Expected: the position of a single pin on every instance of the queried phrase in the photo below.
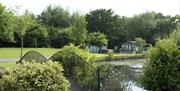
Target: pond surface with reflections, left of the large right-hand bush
(122, 77)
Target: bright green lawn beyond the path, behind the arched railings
(11, 53)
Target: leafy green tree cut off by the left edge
(6, 24)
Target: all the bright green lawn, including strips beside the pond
(14, 53)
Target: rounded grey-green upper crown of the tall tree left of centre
(55, 16)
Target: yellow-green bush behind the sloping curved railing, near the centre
(76, 63)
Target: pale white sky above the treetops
(120, 7)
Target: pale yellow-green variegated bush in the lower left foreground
(45, 76)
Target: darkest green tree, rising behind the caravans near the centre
(105, 21)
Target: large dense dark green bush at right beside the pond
(162, 70)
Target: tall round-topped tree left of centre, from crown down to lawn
(57, 20)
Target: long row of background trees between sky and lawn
(62, 28)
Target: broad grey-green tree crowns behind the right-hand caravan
(149, 26)
